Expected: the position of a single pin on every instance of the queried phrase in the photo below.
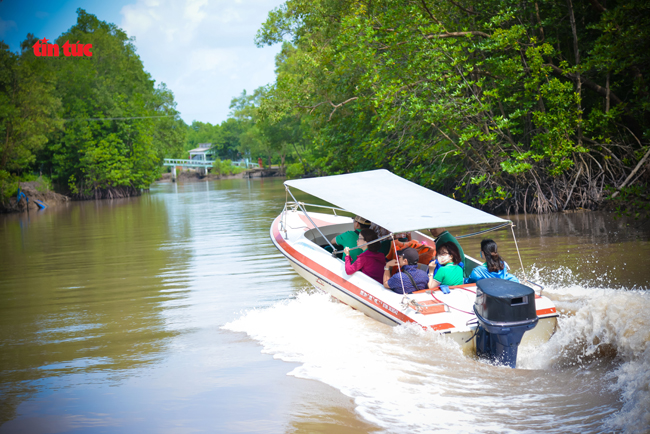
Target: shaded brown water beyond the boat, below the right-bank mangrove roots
(592, 248)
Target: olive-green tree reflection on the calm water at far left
(81, 294)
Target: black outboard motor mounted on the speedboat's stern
(505, 311)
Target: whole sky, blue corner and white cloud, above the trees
(203, 50)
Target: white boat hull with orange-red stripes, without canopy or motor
(451, 314)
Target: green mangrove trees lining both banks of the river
(510, 106)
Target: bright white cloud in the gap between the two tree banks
(204, 51)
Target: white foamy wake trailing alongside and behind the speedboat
(406, 380)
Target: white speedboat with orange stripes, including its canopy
(302, 233)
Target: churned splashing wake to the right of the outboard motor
(609, 325)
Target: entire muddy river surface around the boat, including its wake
(174, 313)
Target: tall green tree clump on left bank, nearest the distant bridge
(90, 155)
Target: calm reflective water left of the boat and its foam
(111, 311)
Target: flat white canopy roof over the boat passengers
(392, 202)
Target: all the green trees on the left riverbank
(97, 126)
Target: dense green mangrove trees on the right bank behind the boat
(512, 106)
